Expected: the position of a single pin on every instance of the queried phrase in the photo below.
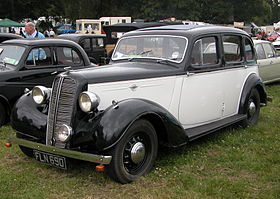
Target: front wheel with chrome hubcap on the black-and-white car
(135, 154)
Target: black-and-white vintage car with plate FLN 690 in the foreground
(160, 88)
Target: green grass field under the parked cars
(232, 163)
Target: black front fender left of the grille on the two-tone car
(26, 117)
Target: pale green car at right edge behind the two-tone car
(268, 60)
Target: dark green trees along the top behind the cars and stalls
(213, 11)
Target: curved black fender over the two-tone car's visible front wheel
(106, 129)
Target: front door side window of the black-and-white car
(204, 52)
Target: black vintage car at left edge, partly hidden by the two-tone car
(25, 63)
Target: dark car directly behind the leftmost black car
(93, 44)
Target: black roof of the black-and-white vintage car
(187, 30)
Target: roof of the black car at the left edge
(40, 42)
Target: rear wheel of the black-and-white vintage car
(252, 108)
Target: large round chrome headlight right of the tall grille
(88, 101)
